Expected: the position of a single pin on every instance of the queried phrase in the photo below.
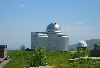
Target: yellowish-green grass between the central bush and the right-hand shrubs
(57, 58)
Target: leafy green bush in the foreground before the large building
(38, 58)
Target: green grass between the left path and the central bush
(18, 58)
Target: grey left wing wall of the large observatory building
(38, 40)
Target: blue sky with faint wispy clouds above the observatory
(79, 19)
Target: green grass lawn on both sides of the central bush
(19, 58)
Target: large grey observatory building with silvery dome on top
(52, 40)
